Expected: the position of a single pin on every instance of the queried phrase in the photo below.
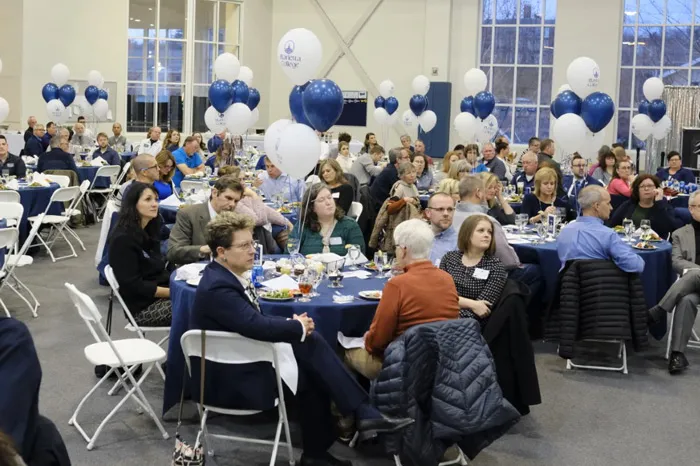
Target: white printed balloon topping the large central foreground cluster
(299, 53)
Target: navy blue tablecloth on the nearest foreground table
(353, 319)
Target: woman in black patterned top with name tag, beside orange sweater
(478, 274)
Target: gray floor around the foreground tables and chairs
(591, 418)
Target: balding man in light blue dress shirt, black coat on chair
(589, 238)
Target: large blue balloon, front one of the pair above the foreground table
(323, 103)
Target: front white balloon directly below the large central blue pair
(298, 151)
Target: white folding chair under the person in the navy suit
(232, 348)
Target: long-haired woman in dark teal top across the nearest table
(326, 229)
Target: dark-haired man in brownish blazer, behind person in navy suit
(187, 242)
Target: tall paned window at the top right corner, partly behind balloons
(659, 38)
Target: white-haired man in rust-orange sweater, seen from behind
(408, 299)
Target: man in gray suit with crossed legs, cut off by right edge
(684, 295)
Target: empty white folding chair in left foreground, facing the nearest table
(117, 354)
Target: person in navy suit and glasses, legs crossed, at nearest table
(226, 301)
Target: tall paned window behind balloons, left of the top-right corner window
(516, 53)
